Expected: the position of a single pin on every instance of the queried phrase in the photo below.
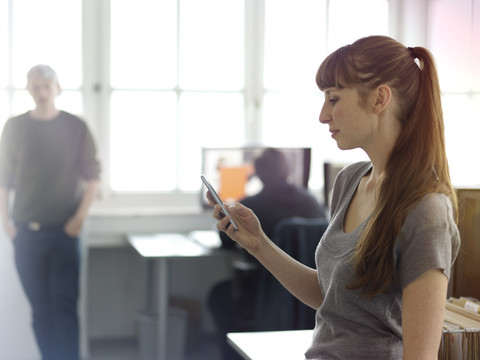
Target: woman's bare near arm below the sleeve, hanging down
(423, 308)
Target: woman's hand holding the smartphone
(250, 235)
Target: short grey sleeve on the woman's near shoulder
(429, 239)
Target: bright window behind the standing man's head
(36, 33)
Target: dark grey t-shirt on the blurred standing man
(45, 163)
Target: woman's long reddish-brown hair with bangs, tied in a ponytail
(417, 165)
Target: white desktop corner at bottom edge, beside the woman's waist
(279, 345)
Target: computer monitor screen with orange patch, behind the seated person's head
(231, 170)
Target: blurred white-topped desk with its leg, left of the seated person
(161, 248)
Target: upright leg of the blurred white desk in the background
(163, 287)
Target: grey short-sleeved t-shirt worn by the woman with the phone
(350, 327)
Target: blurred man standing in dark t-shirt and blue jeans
(48, 160)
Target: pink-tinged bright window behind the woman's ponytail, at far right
(454, 39)
